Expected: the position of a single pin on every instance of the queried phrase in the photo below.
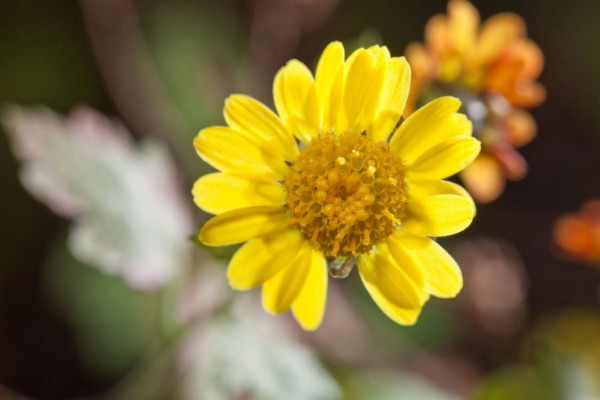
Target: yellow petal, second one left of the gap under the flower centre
(280, 291)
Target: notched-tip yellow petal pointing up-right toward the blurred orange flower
(433, 123)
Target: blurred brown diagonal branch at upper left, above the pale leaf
(128, 72)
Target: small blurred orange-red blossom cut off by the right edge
(577, 235)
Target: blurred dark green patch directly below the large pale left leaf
(113, 323)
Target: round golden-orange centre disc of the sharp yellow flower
(345, 193)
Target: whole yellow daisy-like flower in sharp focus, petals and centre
(344, 192)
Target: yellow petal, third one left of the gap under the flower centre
(261, 258)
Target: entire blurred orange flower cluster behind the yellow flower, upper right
(493, 68)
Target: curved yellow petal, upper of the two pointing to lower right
(442, 275)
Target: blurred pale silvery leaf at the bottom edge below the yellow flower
(230, 358)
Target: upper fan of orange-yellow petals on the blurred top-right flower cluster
(495, 56)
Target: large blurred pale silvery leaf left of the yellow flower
(129, 216)
